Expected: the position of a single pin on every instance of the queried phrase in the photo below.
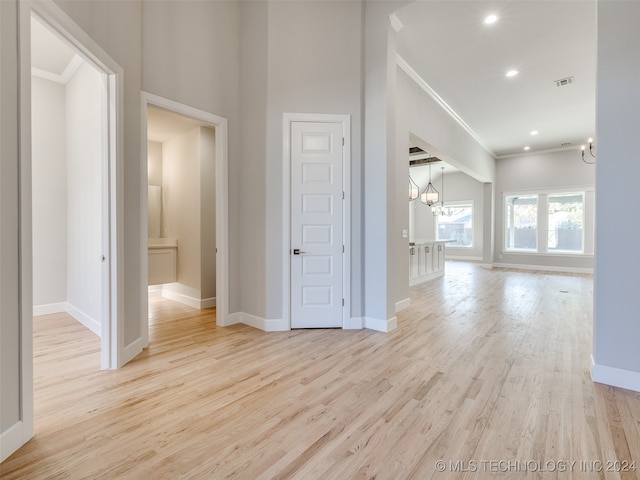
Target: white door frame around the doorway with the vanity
(220, 125)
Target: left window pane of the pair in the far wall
(521, 223)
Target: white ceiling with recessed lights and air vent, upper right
(464, 61)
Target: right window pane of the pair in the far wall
(566, 219)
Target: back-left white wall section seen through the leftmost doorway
(49, 189)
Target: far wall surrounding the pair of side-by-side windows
(559, 171)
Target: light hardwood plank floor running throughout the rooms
(488, 372)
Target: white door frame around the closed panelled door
(345, 120)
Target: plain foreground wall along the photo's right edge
(616, 327)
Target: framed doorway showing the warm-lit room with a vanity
(184, 187)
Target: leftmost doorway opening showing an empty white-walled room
(73, 186)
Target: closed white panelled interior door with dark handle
(317, 249)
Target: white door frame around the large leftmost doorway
(112, 327)
